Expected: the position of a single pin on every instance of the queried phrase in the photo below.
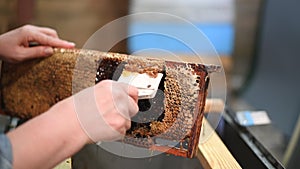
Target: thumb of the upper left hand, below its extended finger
(38, 51)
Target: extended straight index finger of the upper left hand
(50, 41)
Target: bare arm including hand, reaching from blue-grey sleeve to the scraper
(55, 135)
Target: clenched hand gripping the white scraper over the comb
(104, 110)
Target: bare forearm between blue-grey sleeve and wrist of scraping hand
(47, 139)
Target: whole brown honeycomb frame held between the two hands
(169, 122)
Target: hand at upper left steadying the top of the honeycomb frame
(14, 45)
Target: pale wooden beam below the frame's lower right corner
(212, 153)
